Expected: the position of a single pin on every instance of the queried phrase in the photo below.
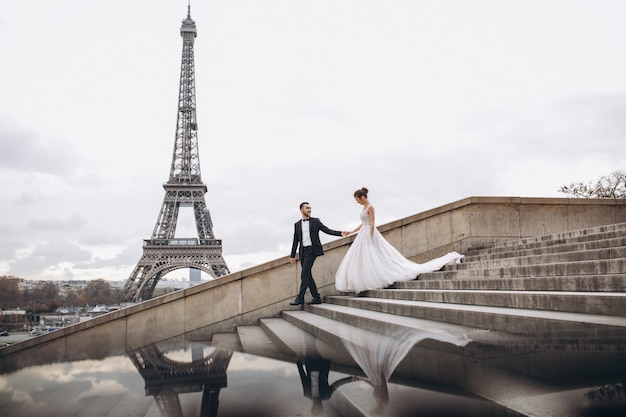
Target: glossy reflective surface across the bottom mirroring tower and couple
(581, 370)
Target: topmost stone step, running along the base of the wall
(583, 235)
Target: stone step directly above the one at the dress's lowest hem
(600, 283)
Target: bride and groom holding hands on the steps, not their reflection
(370, 263)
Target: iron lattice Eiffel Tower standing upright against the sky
(163, 253)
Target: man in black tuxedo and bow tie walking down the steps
(306, 238)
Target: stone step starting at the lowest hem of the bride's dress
(605, 303)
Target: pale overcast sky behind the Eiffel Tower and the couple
(423, 102)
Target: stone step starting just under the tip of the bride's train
(614, 252)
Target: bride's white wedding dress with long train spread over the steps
(372, 262)
